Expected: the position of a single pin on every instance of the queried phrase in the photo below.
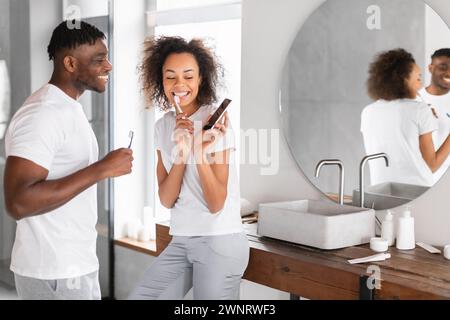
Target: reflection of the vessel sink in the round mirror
(388, 195)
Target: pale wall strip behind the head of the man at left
(45, 16)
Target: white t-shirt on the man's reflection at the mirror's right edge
(441, 105)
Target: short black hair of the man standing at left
(65, 37)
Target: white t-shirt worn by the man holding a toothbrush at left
(51, 130)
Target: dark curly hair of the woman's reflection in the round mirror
(388, 75)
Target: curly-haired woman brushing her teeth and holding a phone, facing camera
(196, 175)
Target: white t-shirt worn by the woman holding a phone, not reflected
(190, 215)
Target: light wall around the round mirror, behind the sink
(268, 29)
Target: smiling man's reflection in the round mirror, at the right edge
(438, 97)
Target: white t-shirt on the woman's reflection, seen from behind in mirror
(394, 127)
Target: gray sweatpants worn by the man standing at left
(82, 288)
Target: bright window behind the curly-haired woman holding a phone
(219, 24)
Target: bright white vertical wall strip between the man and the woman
(130, 112)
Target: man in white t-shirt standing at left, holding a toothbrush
(52, 170)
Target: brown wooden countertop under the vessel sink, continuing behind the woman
(319, 274)
